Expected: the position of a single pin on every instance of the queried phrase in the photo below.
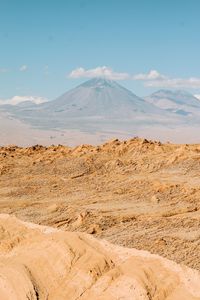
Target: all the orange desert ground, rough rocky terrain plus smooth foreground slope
(137, 194)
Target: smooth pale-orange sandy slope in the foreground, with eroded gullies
(40, 262)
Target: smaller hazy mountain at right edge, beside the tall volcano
(176, 101)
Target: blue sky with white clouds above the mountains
(49, 46)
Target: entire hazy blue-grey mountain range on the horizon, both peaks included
(101, 106)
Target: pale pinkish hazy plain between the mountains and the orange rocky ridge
(13, 131)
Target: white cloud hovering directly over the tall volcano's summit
(104, 71)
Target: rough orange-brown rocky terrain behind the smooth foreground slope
(135, 193)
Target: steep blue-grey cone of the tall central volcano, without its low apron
(99, 98)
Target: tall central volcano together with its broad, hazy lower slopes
(94, 105)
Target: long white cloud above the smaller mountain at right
(156, 79)
